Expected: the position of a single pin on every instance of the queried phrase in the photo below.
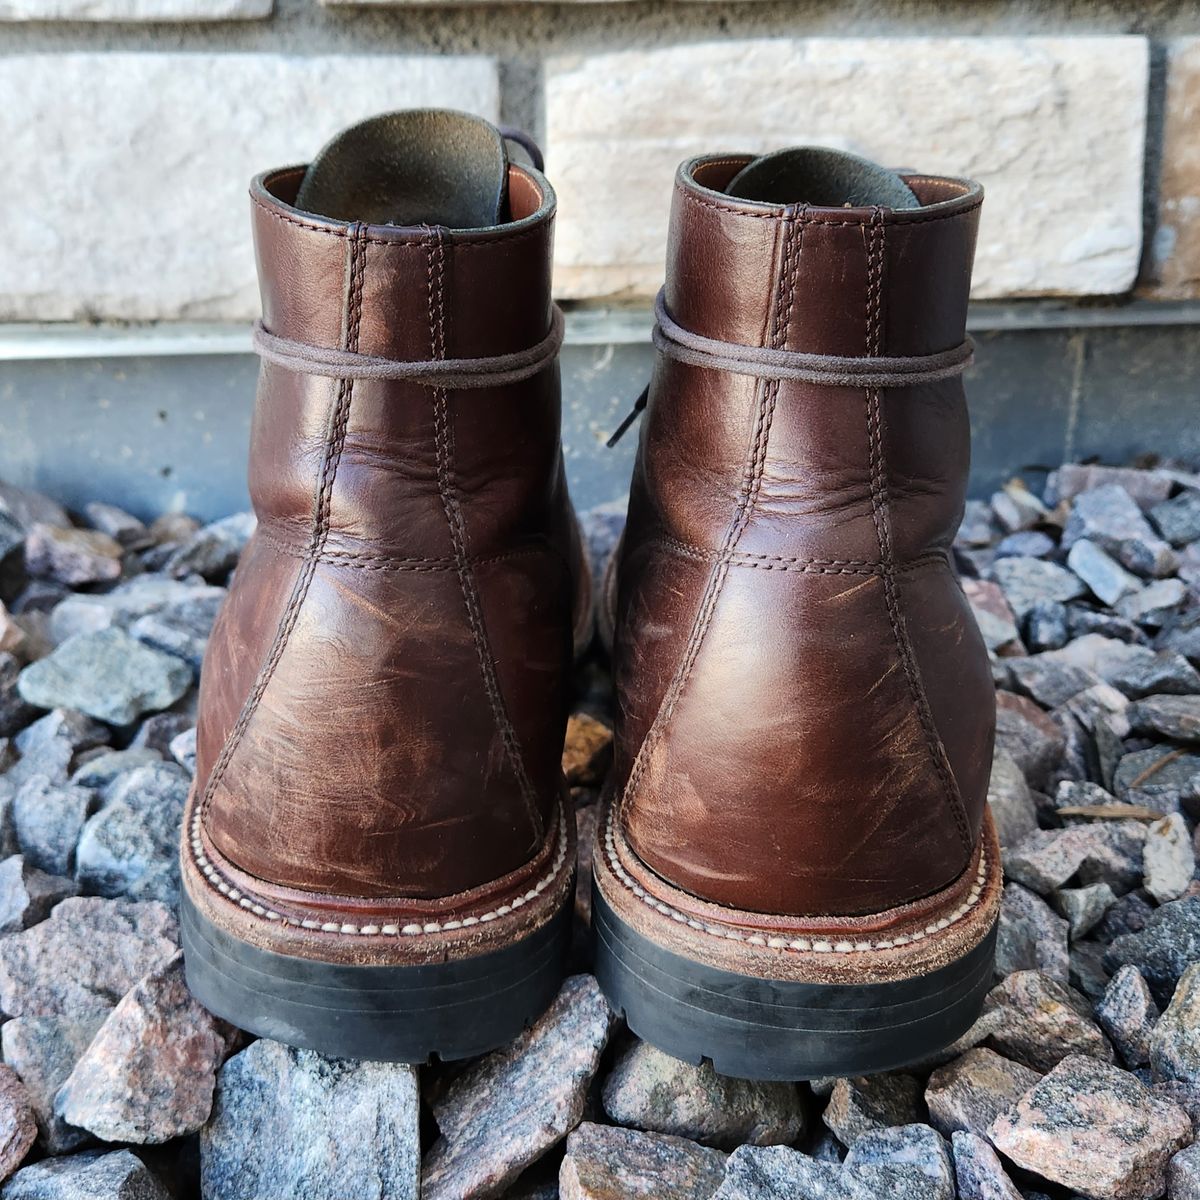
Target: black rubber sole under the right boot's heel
(771, 1029)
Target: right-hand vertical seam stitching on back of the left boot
(451, 506)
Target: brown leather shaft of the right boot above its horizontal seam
(845, 281)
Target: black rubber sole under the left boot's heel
(453, 1010)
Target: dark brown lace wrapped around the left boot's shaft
(457, 374)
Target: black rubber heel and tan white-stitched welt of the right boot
(765, 1003)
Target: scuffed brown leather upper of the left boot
(385, 695)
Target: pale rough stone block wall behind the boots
(130, 128)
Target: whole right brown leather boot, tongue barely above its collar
(797, 877)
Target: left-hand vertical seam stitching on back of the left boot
(335, 440)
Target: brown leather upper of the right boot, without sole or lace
(806, 707)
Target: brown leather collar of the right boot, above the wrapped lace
(737, 269)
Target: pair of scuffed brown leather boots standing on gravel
(795, 875)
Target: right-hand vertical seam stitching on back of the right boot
(881, 517)
